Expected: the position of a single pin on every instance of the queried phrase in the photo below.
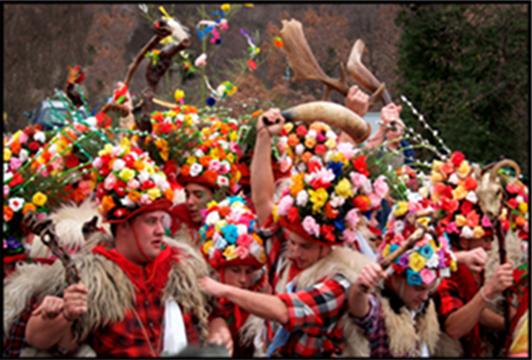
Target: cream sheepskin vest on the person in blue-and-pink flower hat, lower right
(404, 334)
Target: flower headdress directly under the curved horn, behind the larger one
(298, 144)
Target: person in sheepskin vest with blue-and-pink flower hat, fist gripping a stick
(398, 318)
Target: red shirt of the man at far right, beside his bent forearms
(453, 293)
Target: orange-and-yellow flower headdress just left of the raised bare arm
(213, 161)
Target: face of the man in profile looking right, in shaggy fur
(149, 228)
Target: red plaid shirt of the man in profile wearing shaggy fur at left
(127, 338)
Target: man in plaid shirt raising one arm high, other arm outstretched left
(312, 275)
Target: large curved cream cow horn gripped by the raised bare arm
(332, 114)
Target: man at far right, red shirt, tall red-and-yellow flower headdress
(463, 299)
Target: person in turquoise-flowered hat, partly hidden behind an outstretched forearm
(236, 253)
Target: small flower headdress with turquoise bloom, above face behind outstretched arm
(229, 236)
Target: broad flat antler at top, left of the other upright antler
(302, 60)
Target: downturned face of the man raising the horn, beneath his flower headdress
(302, 252)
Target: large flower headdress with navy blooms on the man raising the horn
(326, 203)
